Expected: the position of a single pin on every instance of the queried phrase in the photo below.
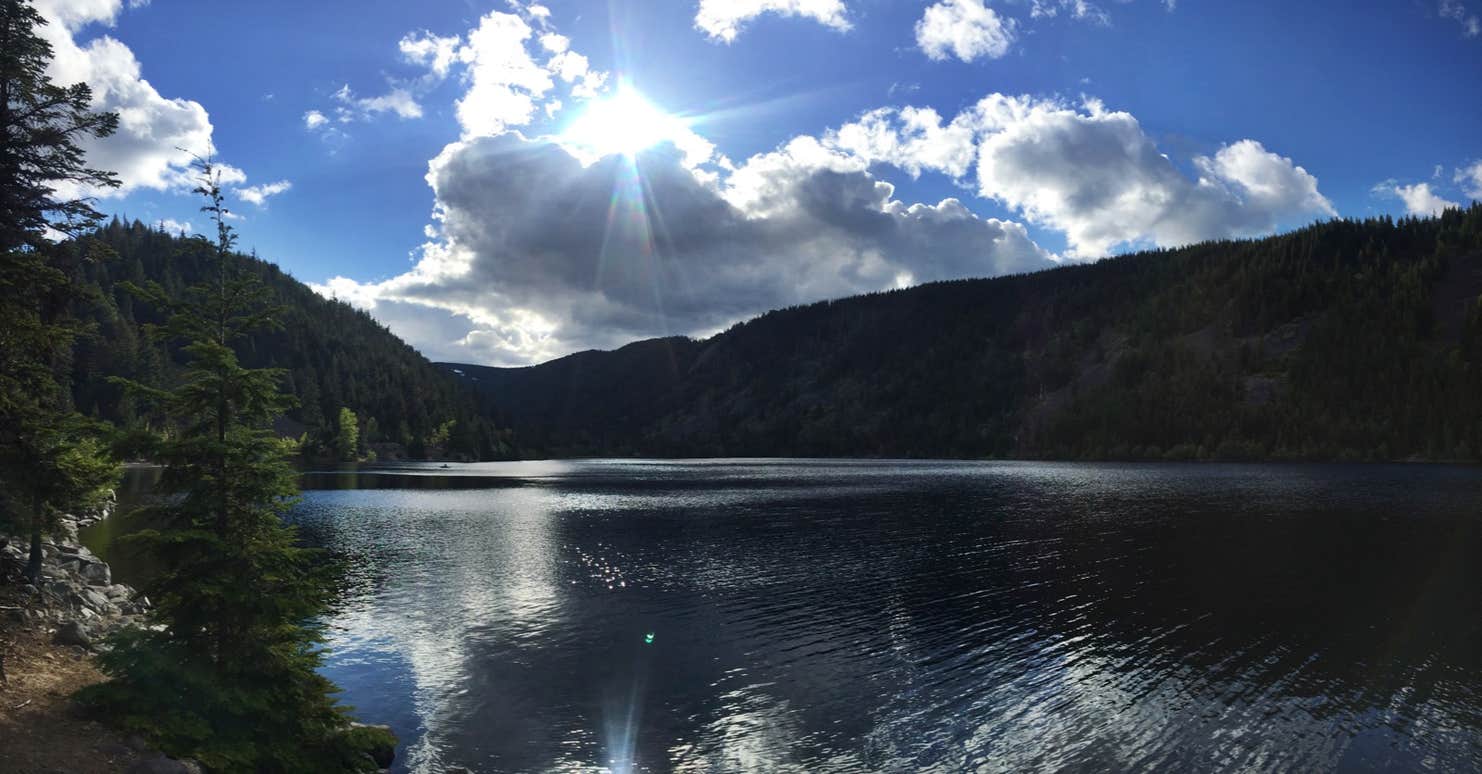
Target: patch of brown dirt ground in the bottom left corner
(38, 732)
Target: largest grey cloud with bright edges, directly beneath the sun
(542, 256)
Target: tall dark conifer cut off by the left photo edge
(50, 457)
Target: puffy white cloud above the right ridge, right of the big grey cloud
(1090, 173)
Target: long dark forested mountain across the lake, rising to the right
(1348, 340)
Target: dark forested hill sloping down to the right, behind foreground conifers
(336, 357)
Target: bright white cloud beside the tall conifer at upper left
(152, 128)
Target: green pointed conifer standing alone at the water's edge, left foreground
(229, 672)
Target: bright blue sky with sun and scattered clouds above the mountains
(508, 182)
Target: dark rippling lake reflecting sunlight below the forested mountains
(881, 616)
